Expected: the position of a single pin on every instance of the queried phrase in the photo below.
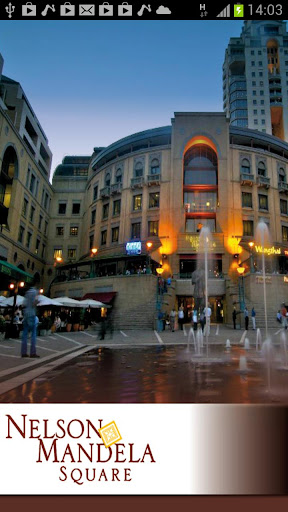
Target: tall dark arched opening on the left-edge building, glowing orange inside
(9, 170)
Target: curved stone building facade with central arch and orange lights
(161, 186)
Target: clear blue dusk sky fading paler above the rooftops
(91, 83)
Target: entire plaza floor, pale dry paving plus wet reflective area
(140, 366)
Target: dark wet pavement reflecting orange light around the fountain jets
(158, 374)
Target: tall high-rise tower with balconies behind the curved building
(255, 78)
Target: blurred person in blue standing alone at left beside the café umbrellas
(29, 322)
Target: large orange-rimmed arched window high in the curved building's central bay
(200, 166)
